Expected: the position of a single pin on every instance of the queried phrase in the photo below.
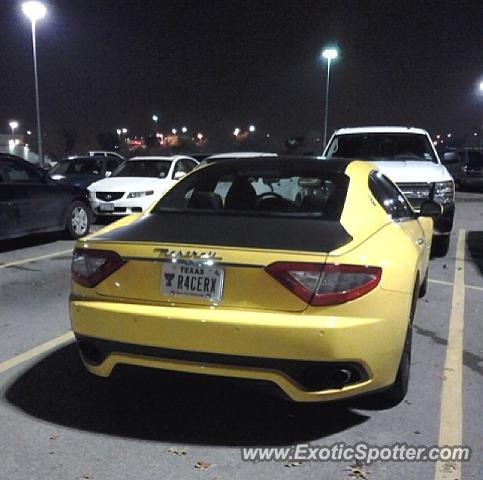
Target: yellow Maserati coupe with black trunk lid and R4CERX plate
(318, 298)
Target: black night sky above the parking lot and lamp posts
(214, 64)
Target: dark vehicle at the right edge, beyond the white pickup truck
(466, 166)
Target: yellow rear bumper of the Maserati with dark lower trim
(299, 353)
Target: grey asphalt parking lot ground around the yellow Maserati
(59, 422)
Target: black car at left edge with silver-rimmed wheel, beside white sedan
(31, 202)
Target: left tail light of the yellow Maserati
(90, 267)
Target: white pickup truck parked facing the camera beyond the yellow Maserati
(407, 156)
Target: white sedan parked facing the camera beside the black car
(137, 183)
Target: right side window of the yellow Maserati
(390, 198)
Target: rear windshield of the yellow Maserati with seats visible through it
(273, 191)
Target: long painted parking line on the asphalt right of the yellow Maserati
(451, 413)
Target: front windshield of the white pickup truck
(382, 146)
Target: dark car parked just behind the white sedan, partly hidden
(82, 171)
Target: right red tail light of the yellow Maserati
(325, 284)
